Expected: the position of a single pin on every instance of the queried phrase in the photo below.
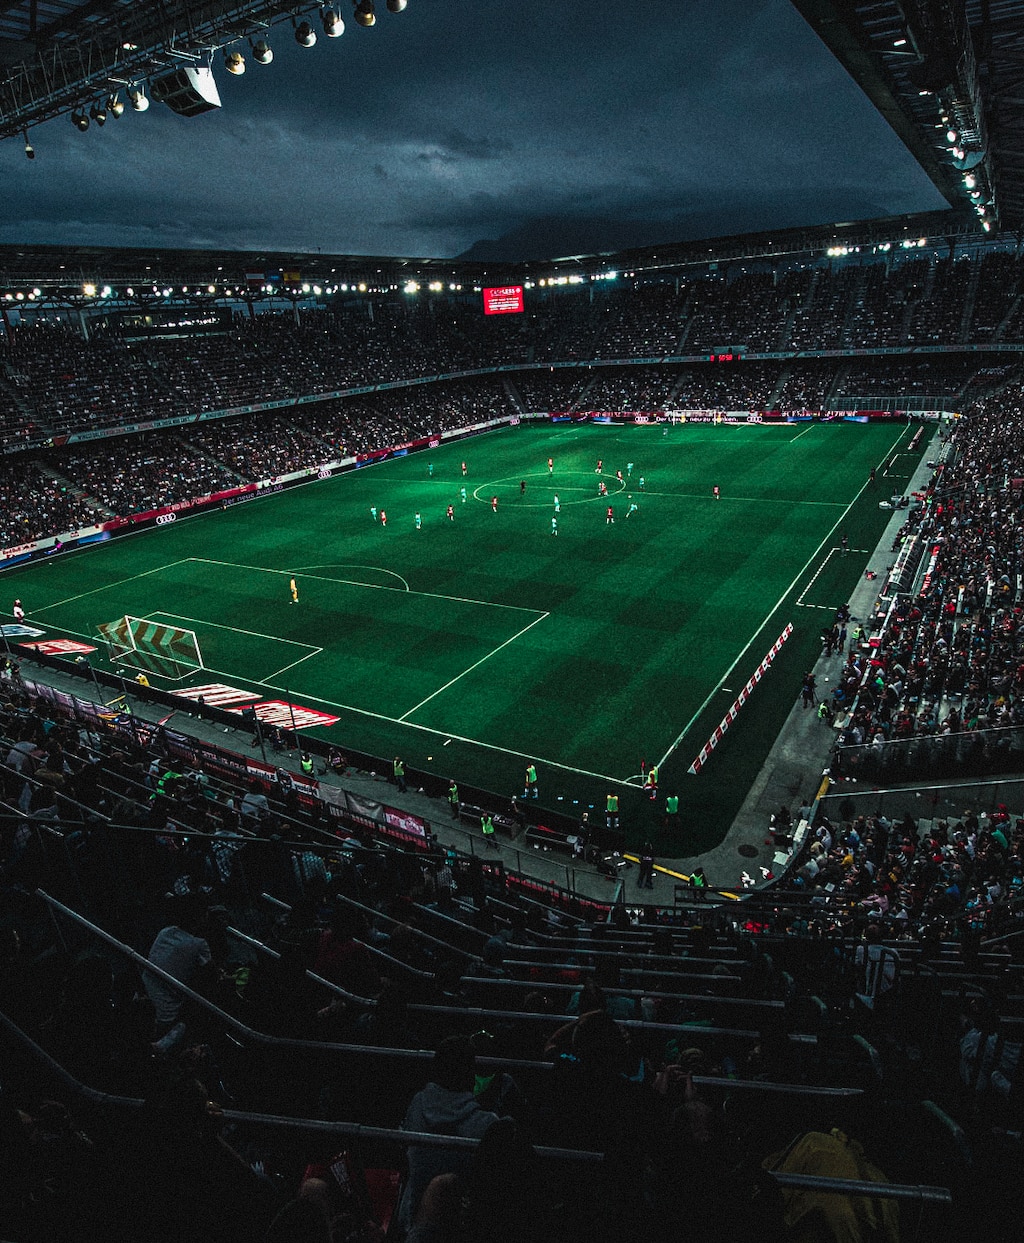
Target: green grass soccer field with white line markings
(477, 646)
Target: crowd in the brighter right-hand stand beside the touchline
(949, 658)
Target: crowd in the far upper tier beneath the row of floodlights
(53, 380)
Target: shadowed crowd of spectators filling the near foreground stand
(647, 1073)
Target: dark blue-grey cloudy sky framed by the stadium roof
(556, 126)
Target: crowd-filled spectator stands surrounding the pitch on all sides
(221, 1002)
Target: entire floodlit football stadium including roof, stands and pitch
(516, 749)
